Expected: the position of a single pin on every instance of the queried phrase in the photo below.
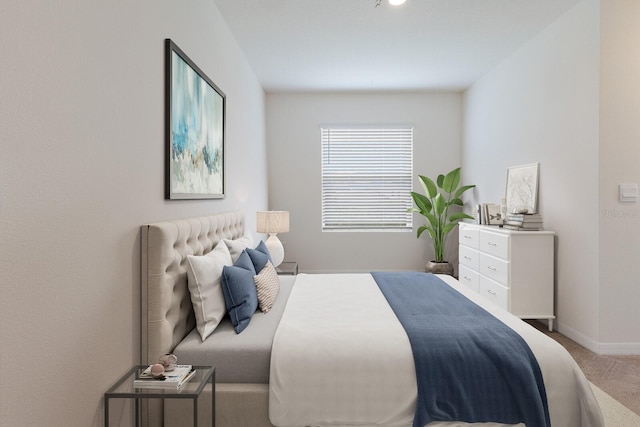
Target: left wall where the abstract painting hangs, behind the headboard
(81, 132)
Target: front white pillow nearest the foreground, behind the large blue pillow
(204, 275)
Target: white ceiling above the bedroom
(354, 45)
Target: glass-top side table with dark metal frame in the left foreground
(124, 389)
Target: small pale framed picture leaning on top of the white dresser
(522, 188)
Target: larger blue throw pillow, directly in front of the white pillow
(239, 291)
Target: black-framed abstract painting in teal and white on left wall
(194, 130)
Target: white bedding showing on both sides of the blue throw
(340, 357)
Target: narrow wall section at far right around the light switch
(619, 162)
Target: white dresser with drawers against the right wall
(514, 269)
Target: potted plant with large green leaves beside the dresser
(434, 206)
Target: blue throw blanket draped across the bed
(469, 365)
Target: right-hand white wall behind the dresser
(541, 105)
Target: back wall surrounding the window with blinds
(293, 141)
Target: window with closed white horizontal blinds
(367, 178)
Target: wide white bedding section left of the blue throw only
(313, 375)
